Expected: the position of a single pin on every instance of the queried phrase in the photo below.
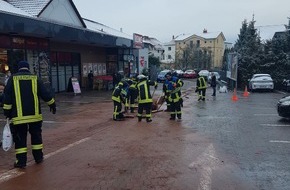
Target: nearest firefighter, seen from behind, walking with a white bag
(21, 104)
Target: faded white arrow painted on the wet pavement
(207, 161)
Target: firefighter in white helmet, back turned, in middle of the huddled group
(144, 97)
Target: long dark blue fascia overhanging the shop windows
(26, 26)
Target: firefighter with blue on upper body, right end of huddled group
(172, 87)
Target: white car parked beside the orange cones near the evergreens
(261, 82)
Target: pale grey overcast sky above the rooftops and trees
(164, 18)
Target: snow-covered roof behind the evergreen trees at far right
(268, 32)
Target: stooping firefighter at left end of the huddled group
(119, 96)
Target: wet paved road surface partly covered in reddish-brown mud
(219, 144)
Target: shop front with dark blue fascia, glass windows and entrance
(57, 51)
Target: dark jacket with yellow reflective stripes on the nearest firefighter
(21, 97)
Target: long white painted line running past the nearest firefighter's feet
(17, 172)
